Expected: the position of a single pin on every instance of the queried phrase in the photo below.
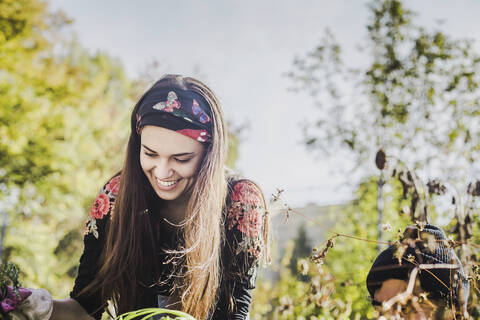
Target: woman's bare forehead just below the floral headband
(165, 141)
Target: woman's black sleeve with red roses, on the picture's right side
(245, 223)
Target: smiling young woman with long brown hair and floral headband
(173, 228)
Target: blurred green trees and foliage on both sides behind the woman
(64, 121)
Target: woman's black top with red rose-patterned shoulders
(244, 223)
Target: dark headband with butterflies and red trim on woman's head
(183, 111)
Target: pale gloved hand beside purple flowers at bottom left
(38, 306)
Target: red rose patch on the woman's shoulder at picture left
(103, 205)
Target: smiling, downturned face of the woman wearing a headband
(170, 160)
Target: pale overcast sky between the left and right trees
(242, 49)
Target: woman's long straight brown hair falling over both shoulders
(130, 247)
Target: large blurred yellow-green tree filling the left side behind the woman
(64, 121)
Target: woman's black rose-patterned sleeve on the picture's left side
(94, 239)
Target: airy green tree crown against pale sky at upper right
(416, 94)
